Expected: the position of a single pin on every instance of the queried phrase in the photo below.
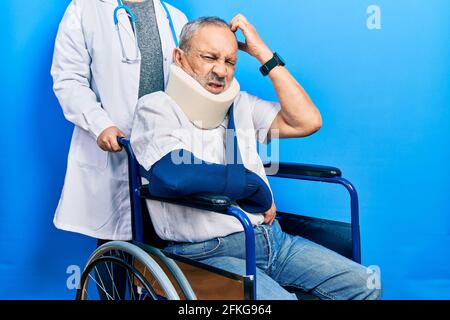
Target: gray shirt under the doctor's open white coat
(152, 73)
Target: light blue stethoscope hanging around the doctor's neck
(132, 17)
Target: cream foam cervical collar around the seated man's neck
(203, 108)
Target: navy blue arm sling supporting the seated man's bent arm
(194, 176)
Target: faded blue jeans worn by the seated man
(284, 260)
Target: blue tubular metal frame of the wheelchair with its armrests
(221, 204)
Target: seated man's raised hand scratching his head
(253, 45)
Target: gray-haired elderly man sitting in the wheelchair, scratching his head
(208, 53)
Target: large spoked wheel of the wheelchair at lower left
(122, 271)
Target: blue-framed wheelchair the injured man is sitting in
(140, 269)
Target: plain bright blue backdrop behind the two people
(384, 97)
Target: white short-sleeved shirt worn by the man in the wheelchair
(160, 126)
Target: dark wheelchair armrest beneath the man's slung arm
(204, 201)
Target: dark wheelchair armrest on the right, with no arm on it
(306, 170)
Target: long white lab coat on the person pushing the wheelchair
(97, 90)
